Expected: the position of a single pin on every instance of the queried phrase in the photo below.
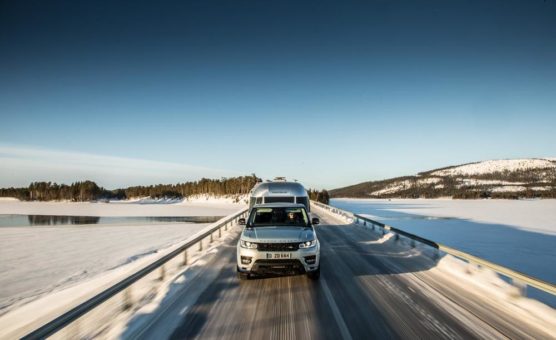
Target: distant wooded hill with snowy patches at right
(507, 178)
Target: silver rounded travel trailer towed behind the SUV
(279, 191)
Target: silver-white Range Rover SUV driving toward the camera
(278, 238)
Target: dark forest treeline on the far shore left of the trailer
(90, 191)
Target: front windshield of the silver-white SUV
(263, 217)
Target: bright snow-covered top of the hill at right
(487, 167)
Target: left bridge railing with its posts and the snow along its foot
(122, 296)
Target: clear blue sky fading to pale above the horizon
(329, 93)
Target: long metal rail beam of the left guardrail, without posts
(67, 318)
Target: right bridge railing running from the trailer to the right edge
(519, 279)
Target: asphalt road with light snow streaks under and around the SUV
(367, 289)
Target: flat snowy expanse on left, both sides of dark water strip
(35, 261)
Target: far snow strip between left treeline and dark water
(200, 206)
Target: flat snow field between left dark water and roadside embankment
(37, 261)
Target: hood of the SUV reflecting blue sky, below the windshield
(278, 234)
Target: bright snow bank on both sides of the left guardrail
(113, 314)
